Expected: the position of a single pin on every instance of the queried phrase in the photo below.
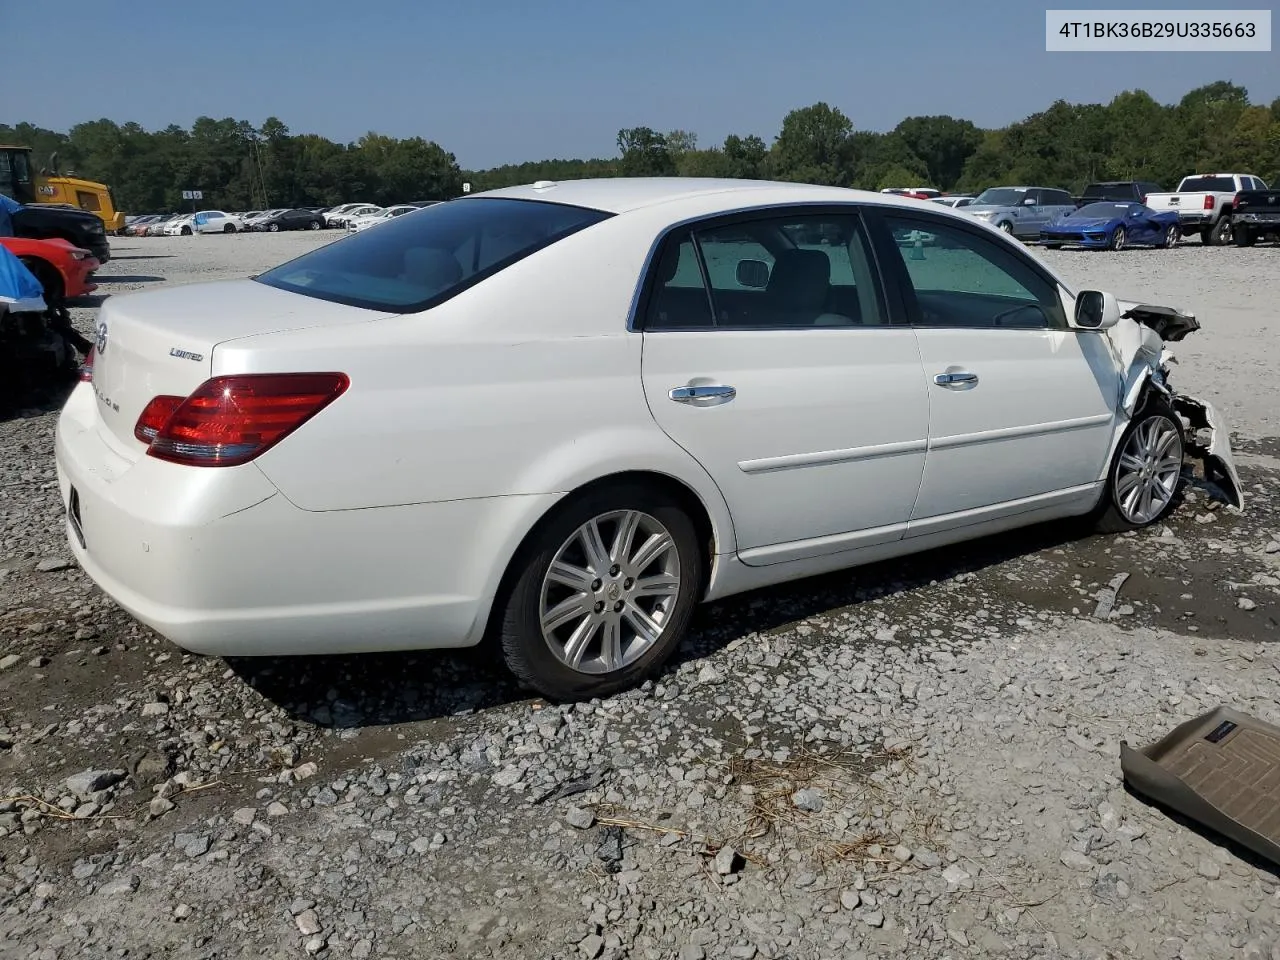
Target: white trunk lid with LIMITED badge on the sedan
(162, 342)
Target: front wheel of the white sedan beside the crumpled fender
(1145, 473)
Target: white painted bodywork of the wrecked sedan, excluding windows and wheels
(465, 424)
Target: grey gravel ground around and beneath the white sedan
(913, 760)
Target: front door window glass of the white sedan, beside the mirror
(964, 280)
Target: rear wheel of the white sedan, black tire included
(604, 593)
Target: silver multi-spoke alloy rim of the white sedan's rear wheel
(610, 592)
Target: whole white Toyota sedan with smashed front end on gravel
(559, 417)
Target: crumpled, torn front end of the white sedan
(1142, 339)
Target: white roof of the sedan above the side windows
(619, 195)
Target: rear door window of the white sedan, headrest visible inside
(778, 272)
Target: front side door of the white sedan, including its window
(1022, 406)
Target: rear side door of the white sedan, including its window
(770, 356)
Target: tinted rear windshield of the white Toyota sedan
(422, 259)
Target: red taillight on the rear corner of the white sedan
(231, 420)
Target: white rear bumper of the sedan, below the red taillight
(221, 563)
